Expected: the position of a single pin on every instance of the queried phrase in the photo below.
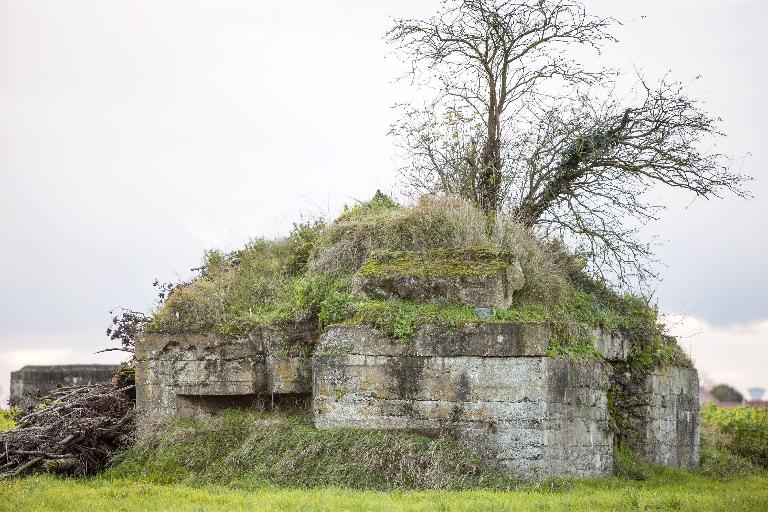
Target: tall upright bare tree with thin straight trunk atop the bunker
(488, 56)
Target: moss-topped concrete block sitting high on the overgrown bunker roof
(492, 285)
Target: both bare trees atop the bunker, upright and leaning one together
(515, 125)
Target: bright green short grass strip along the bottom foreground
(666, 490)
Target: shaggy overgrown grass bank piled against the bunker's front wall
(249, 449)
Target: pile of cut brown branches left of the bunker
(73, 431)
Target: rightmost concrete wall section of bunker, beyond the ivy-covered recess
(667, 427)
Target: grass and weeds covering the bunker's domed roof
(306, 278)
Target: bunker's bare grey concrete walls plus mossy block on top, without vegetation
(496, 386)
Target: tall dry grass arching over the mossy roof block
(435, 222)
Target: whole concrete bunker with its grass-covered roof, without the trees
(427, 318)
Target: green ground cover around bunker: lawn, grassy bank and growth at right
(240, 461)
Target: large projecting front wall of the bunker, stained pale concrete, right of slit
(534, 416)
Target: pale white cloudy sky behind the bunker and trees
(135, 134)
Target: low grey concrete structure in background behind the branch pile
(42, 379)
